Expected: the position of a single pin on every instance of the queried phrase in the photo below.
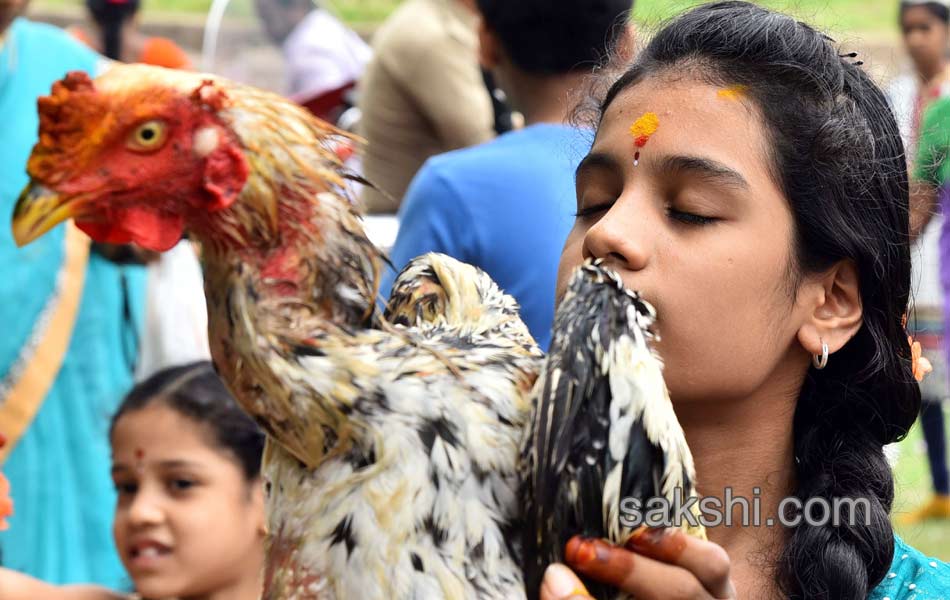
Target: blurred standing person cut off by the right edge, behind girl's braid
(925, 32)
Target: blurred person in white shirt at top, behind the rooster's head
(324, 58)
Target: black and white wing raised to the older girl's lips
(603, 428)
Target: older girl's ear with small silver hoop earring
(836, 310)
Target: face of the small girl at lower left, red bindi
(187, 522)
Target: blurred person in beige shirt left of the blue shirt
(423, 94)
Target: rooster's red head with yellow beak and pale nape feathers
(143, 153)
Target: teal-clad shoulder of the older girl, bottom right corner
(913, 576)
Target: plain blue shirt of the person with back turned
(505, 206)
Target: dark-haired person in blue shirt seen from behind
(507, 206)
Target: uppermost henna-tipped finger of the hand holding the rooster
(707, 561)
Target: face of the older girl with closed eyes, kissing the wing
(700, 228)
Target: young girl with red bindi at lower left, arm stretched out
(189, 522)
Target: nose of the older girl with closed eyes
(621, 238)
